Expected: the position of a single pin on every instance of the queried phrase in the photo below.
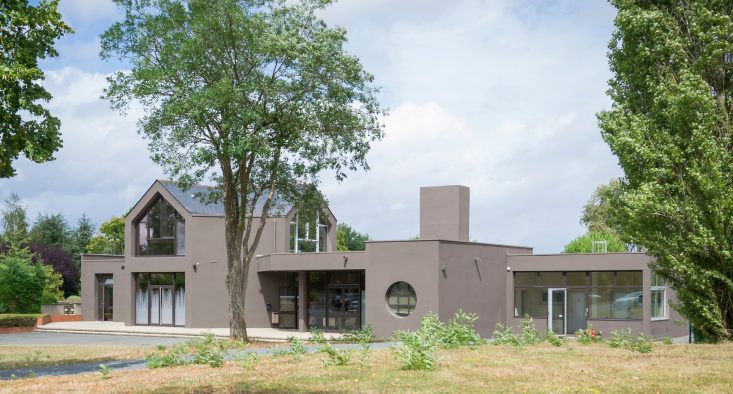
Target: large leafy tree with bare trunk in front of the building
(258, 96)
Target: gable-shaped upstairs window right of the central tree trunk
(308, 232)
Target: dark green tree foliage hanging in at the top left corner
(27, 33)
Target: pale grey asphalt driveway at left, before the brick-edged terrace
(56, 338)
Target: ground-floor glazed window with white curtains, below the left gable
(160, 298)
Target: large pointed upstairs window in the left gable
(160, 231)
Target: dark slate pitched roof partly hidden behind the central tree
(192, 203)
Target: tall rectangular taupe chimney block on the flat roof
(444, 212)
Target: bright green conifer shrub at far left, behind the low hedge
(21, 282)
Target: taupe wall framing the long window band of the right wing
(598, 262)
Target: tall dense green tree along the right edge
(670, 126)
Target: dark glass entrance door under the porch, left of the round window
(344, 308)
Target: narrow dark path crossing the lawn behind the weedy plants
(141, 364)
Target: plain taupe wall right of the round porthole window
(474, 280)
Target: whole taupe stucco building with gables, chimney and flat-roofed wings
(174, 268)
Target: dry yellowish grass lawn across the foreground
(541, 368)
